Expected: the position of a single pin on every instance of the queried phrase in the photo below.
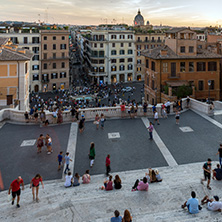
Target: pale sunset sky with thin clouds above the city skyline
(94, 12)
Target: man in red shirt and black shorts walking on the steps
(15, 188)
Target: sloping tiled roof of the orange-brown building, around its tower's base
(156, 54)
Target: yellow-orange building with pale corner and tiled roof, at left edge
(14, 75)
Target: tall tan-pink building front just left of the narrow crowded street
(54, 59)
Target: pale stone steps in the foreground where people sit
(88, 203)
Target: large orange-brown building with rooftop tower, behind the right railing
(180, 62)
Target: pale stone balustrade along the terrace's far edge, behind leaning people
(109, 112)
